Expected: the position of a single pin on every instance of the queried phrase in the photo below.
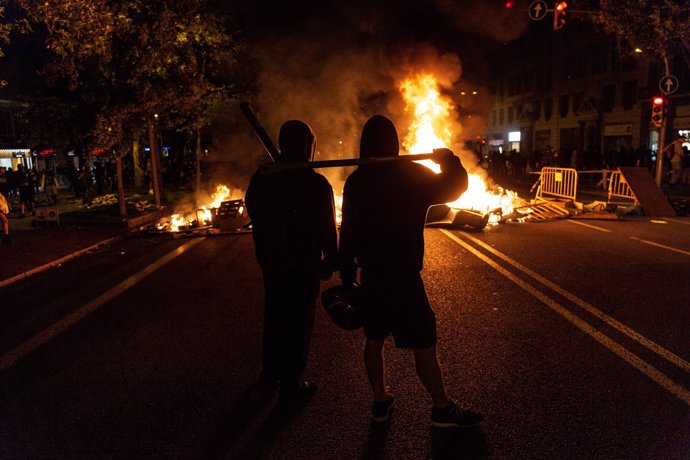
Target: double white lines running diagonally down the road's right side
(647, 369)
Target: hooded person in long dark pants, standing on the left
(295, 238)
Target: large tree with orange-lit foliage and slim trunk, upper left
(142, 57)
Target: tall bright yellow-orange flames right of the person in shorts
(431, 129)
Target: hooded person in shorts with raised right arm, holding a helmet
(382, 233)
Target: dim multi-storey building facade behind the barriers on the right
(569, 97)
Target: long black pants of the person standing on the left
(288, 323)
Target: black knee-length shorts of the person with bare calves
(396, 304)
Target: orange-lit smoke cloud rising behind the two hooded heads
(336, 64)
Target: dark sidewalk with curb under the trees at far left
(34, 245)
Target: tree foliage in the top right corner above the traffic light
(661, 27)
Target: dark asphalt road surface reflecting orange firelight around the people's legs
(570, 336)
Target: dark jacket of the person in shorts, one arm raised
(384, 213)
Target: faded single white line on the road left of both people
(10, 358)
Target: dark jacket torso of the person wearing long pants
(293, 219)
